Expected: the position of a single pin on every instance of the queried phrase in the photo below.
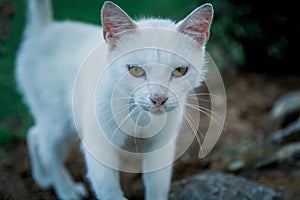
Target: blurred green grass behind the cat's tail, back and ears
(14, 116)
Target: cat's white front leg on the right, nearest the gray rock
(157, 183)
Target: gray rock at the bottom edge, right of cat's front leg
(219, 186)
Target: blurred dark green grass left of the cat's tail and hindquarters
(14, 117)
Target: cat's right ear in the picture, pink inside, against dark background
(197, 24)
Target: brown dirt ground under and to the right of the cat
(250, 98)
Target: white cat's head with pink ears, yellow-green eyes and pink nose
(150, 55)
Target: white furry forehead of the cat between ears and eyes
(157, 45)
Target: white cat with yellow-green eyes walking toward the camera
(47, 64)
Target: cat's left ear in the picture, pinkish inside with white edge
(114, 21)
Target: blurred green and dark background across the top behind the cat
(250, 36)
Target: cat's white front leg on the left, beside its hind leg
(105, 181)
